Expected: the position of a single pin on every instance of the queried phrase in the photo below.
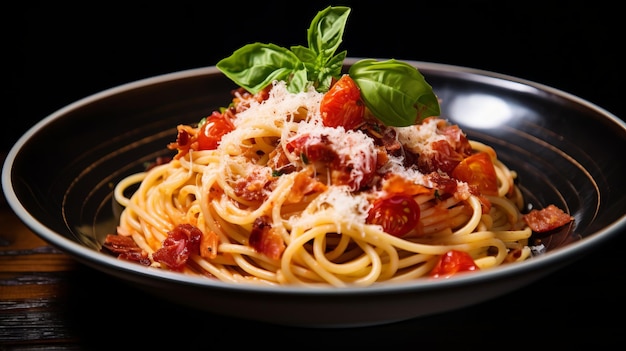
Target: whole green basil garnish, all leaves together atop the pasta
(394, 91)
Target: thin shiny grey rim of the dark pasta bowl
(554, 259)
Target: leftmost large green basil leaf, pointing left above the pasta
(255, 66)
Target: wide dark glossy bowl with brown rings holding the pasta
(59, 177)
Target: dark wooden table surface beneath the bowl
(49, 301)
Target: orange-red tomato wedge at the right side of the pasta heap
(477, 170)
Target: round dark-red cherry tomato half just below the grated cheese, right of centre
(398, 214)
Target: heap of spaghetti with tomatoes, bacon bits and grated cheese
(283, 199)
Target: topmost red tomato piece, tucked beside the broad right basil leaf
(342, 105)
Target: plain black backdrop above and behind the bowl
(61, 52)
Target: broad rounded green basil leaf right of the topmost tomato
(394, 91)
